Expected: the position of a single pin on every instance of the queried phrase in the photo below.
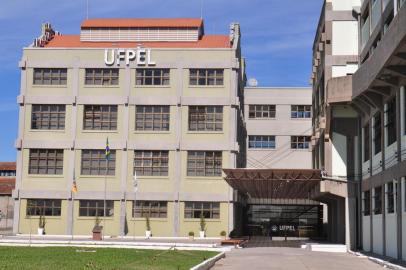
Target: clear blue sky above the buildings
(277, 36)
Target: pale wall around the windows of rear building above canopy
(282, 127)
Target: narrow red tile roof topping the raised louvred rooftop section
(112, 23)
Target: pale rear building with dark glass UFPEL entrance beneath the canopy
(279, 128)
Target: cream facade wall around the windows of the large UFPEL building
(176, 188)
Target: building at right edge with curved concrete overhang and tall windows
(379, 96)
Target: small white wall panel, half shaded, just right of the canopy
(339, 154)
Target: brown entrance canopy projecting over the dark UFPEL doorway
(273, 183)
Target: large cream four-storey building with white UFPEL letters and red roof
(168, 99)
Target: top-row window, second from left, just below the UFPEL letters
(101, 76)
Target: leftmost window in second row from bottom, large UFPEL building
(46, 161)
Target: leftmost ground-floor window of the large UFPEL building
(38, 207)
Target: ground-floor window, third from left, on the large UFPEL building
(152, 209)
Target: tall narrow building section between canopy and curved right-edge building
(335, 122)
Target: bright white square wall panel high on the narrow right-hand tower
(345, 38)
